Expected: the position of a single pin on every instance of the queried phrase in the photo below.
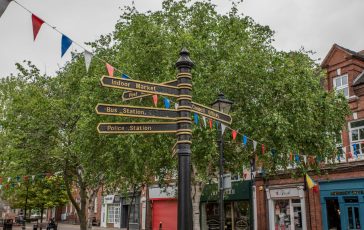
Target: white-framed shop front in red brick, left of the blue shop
(286, 205)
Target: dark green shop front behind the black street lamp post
(237, 202)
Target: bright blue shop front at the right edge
(342, 204)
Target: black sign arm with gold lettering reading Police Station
(140, 127)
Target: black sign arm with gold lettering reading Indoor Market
(139, 86)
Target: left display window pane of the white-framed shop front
(282, 214)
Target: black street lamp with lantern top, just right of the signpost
(223, 105)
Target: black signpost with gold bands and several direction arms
(181, 123)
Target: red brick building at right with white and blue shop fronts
(283, 203)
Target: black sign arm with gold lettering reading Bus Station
(135, 111)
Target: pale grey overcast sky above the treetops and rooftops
(312, 24)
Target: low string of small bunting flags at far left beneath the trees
(12, 182)
